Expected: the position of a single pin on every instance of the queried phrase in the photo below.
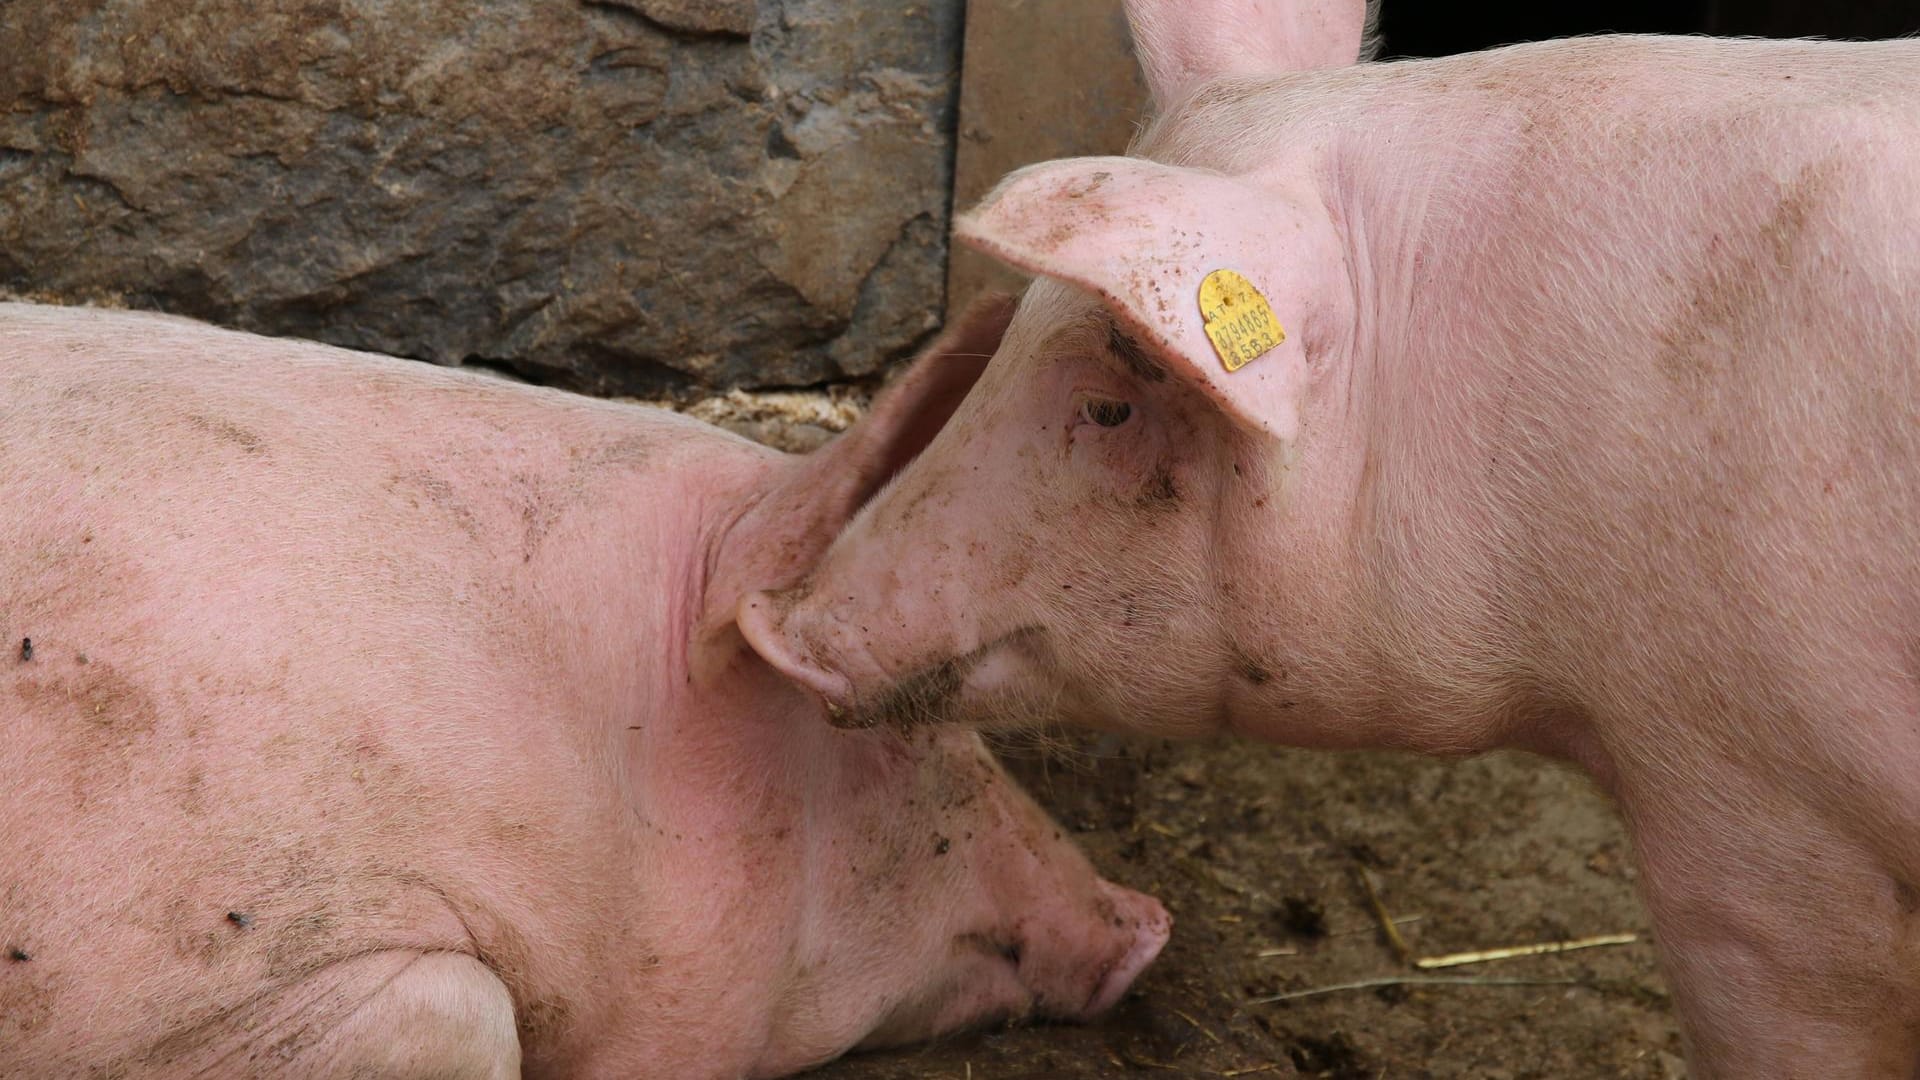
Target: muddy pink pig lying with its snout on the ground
(391, 722)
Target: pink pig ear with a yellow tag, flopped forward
(1232, 283)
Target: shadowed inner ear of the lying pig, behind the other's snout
(842, 476)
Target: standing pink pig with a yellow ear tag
(1562, 397)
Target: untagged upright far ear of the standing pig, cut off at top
(1184, 43)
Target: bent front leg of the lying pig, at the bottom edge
(398, 1016)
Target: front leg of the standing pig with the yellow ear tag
(1788, 946)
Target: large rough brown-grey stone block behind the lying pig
(627, 197)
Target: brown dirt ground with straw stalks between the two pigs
(1259, 856)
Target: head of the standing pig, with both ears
(1086, 535)
